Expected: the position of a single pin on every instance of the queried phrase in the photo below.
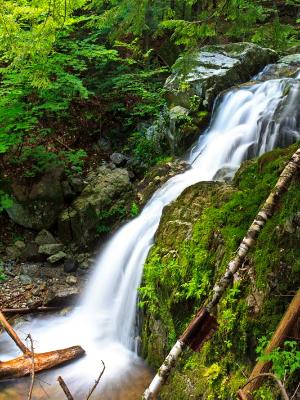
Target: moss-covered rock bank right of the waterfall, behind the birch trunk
(198, 235)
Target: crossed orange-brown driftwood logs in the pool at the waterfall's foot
(23, 365)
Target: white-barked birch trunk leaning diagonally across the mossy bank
(247, 243)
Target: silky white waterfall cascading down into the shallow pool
(247, 121)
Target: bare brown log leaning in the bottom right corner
(283, 330)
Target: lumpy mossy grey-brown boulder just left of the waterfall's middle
(107, 191)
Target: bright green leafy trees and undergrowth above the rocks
(73, 72)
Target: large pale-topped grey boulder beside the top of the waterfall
(200, 76)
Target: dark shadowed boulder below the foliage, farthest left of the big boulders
(37, 205)
